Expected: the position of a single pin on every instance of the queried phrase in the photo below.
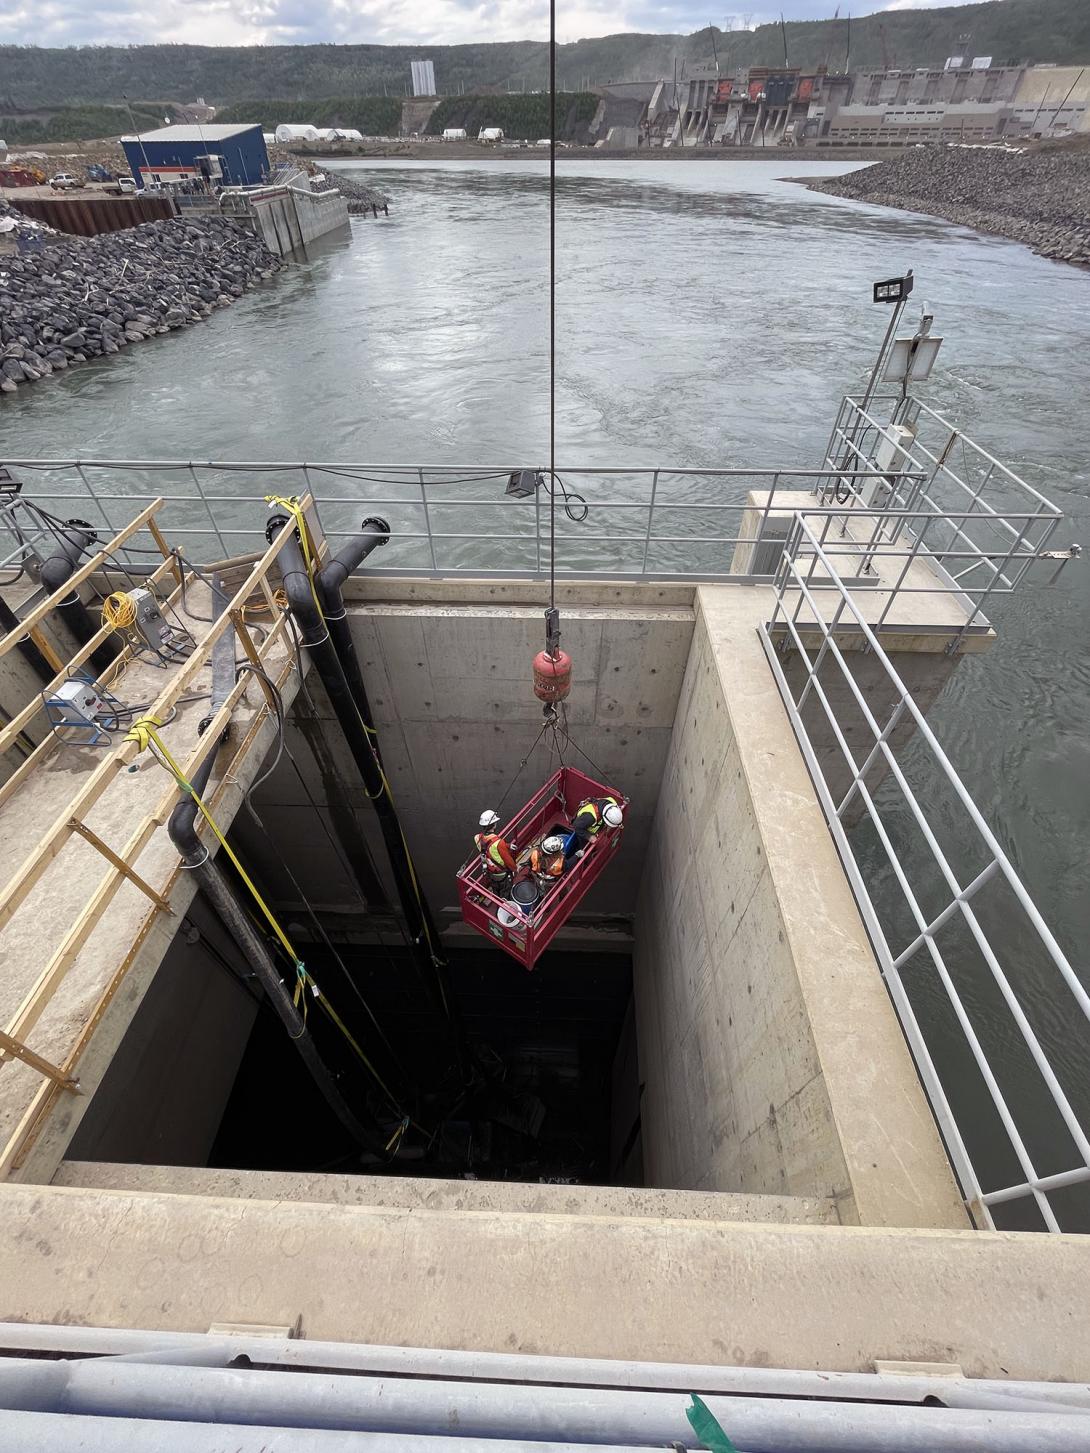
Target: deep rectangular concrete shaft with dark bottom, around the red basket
(711, 1022)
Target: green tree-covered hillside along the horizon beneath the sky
(36, 78)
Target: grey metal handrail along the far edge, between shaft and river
(646, 534)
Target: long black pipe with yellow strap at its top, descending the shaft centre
(316, 637)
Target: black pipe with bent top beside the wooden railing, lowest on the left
(216, 887)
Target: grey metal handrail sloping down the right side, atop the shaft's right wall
(803, 631)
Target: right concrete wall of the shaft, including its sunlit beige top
(771, 1056)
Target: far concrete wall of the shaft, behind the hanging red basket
(451, 689)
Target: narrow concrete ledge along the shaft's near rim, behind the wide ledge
(419, 1194)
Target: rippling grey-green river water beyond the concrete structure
(708, 315)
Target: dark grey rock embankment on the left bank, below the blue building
(79, 299)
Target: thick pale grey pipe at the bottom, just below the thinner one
(506, 1412)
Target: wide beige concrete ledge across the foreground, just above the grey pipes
(1001, 1306)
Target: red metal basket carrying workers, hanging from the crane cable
(527, 935)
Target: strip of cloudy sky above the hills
(387, 23)
